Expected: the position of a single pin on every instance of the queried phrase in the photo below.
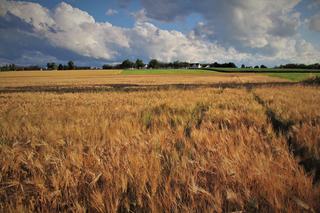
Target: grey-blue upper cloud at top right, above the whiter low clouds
(246, 23)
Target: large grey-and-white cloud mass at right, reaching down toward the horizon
(264, 30)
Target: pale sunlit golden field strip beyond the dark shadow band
(85, 78)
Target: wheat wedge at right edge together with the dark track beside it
(300, 119)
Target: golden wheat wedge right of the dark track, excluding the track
(298, 106)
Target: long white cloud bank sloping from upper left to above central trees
(76, 30)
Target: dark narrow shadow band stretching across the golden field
(138, 87)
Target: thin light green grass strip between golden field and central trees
(166, 72)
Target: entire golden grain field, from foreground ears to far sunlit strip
(176, 142)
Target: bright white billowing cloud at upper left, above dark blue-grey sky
(71, 28)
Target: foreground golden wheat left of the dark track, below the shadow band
(197, 150)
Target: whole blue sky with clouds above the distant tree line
(96, 32)
